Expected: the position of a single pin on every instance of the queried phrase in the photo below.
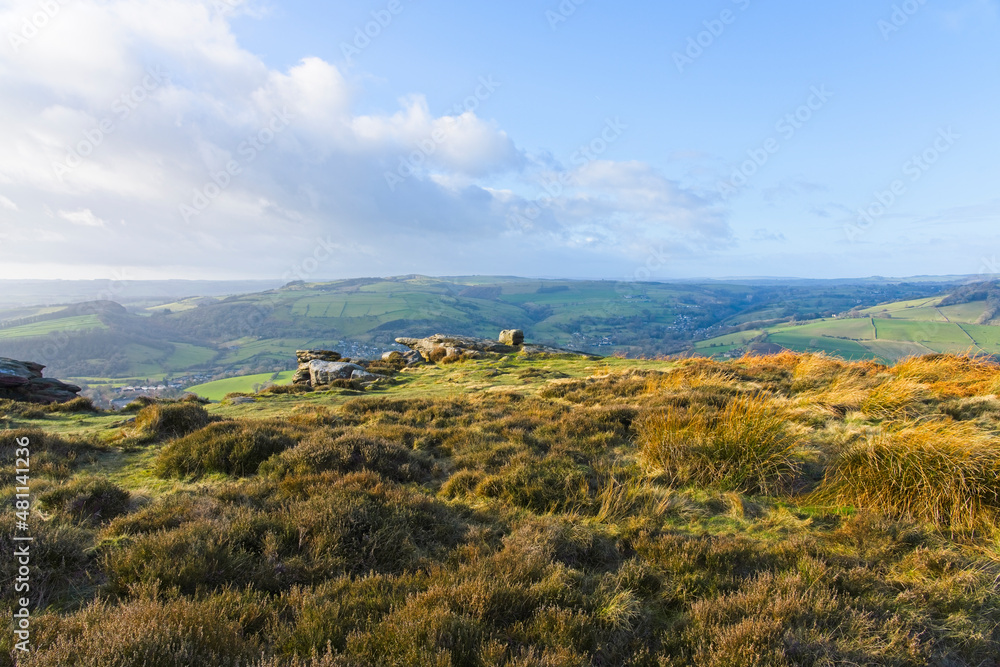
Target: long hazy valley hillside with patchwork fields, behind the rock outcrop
(198, 338)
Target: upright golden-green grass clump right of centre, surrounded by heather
(745, 447)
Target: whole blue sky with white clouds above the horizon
(305, 140)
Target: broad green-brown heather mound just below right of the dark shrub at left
(234, 448)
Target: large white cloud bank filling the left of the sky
(133, 109)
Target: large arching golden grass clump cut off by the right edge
(943, 472)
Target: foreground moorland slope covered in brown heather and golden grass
(526, 511)
